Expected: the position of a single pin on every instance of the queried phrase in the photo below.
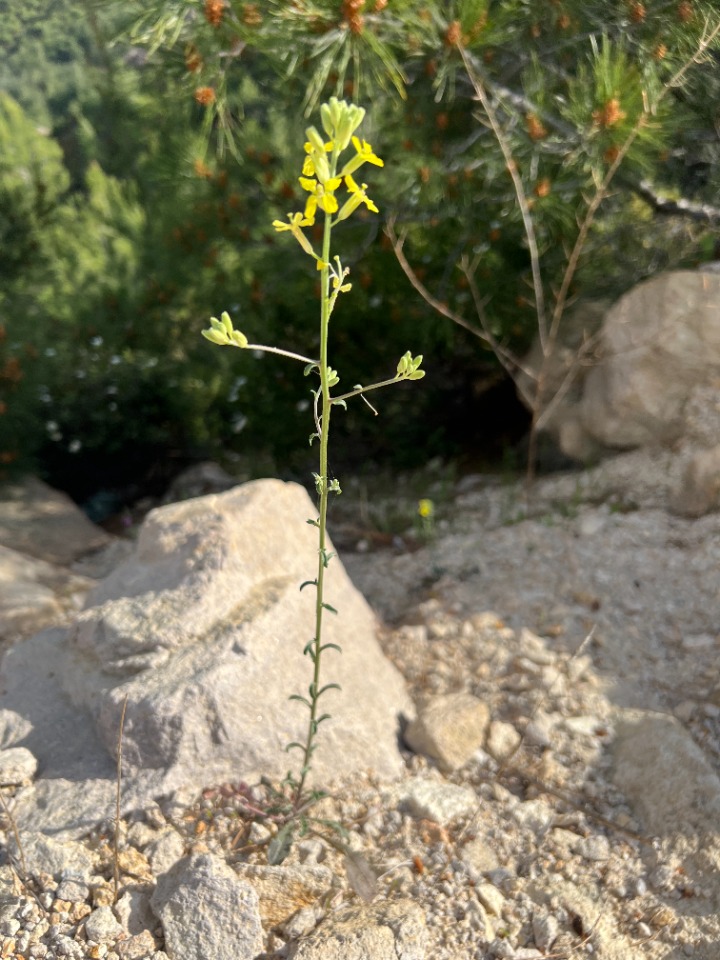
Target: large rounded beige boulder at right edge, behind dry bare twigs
(652, 378)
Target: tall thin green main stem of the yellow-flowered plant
(325, 410)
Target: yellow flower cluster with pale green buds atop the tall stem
(320, 175)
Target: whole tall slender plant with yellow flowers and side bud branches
(333, 193)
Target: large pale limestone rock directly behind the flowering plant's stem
(202, 631)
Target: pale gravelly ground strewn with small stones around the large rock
(563, 799)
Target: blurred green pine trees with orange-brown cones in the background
(145, 149)
